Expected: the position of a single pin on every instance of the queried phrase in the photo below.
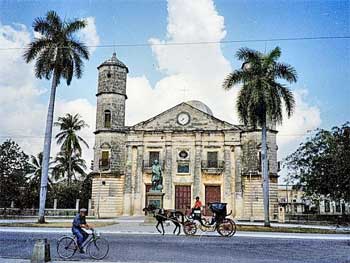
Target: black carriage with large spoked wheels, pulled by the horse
(219, 222)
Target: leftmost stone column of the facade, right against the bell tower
(127, 185)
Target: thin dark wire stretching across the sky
(206, 42)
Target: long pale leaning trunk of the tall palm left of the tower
(47, 148)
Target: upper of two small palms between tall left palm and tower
(68, 138)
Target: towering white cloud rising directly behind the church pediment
(200, 69)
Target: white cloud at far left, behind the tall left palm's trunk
(22, 114)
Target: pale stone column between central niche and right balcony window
(197, 175)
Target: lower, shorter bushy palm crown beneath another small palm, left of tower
(63, 162)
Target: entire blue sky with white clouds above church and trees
(162, 76)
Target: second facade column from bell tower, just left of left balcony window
(138, 205)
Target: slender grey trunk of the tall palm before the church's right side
(264, 165)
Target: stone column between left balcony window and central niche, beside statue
(168, 169)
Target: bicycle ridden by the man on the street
(96, 246)
